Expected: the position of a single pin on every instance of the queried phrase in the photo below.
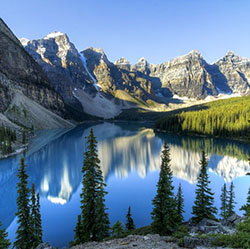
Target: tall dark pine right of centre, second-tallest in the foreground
(164, 212)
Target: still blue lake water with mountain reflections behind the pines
(130, 161)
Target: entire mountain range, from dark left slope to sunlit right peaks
(68, 84)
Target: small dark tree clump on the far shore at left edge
(7, 137)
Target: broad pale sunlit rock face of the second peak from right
(185, 76)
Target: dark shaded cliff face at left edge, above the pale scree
(20, 74)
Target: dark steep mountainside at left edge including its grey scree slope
(26, 96)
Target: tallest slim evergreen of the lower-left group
(24, 231)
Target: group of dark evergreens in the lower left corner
(29, 231)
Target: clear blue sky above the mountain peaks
(158, 30)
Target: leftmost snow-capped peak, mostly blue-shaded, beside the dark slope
(62, 63)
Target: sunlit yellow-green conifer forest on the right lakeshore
(226, 118)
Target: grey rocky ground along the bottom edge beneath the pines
(200, 236)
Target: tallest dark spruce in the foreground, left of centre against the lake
(95, 221)
